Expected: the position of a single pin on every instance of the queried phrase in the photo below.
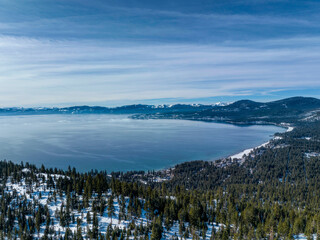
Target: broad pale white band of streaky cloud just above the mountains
(46, 72)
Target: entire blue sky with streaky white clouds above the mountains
(119, 52)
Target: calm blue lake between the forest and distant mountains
(118, 143)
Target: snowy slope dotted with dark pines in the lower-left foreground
(46, 204)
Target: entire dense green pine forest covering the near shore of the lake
(273, 193)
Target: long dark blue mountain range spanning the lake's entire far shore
(242, 112)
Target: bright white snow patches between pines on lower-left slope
(44, 195)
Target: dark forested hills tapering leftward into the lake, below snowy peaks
(287, 110)
